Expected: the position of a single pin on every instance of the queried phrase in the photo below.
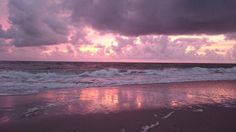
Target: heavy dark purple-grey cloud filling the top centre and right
(139, 17)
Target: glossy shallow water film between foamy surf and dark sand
(116, 99)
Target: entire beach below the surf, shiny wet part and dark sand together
(134, 108)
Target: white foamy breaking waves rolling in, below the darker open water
(23, 82)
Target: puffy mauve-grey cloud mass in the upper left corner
(35, 22)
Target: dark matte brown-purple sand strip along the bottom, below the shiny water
(212, 119)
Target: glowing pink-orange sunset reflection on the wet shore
(114, 99)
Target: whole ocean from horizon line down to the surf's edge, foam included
(19, 78)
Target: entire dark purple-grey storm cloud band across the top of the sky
(45, 22)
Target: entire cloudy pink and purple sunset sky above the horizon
(118, 30)
